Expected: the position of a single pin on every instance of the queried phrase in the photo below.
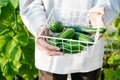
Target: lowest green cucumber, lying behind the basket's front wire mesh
(71, 47)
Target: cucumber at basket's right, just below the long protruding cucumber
(85, 39)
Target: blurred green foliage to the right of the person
(111, 66)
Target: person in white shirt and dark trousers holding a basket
(51, 62)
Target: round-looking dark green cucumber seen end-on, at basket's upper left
(56, 26)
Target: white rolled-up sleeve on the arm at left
(33, 14)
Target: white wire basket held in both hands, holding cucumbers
(69, 17)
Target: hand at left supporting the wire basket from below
(45, 47)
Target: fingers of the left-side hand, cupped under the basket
(48, 49)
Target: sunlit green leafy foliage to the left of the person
(16, 44)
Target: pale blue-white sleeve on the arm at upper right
(112, 9)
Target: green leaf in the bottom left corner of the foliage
(9, 70)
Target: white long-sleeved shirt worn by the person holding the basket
(34, 14)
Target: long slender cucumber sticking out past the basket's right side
(86, 30)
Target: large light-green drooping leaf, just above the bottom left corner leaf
(13, 52)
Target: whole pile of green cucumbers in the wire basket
(77, 35)
